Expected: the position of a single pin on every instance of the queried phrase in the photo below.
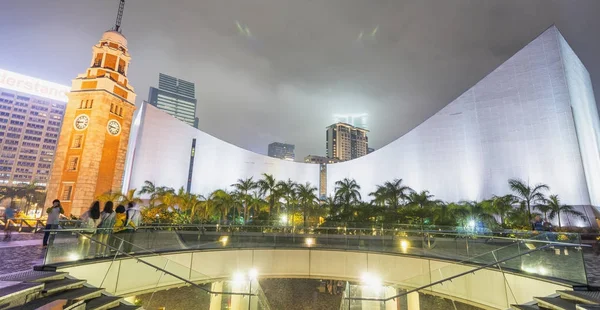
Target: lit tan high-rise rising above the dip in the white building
(346, 142)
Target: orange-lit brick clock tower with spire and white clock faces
(92, 147)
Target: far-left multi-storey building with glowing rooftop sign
(31, 113)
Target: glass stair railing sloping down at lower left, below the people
(78, 246)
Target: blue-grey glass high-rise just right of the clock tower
(176, 97)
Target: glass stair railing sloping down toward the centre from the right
(561, 261)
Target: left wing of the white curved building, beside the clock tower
(162, 155)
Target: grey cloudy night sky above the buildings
(300, 62)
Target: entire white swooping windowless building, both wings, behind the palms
(533, 118)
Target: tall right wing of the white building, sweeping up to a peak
(515, 123)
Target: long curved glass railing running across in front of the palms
(448, 245)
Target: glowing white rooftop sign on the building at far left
(25, 84)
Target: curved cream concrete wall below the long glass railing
(488, 288)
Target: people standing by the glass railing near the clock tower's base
(99, 226)
